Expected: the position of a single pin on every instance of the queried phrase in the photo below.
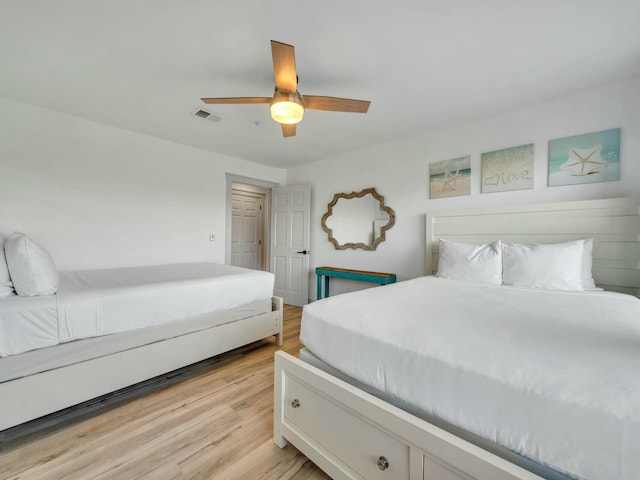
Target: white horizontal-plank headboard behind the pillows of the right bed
(613, 223)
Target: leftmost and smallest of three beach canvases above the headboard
(450, 178)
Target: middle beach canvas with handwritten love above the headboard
(507, 169)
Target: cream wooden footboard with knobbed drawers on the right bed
(346, 431)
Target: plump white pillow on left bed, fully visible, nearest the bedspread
(31, 267)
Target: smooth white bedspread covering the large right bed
(554, 376)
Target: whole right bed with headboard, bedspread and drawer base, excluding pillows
(544, 386)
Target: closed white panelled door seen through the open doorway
(247, 214)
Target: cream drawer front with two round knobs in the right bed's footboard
(371, 452)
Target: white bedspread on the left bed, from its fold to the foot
(100, 302)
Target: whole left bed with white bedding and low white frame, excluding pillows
(107, 329)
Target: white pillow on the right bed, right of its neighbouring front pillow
(556, 266)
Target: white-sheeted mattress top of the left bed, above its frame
(95, 303)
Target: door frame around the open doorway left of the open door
(254, 185)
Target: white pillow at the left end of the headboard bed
(466, 261)
